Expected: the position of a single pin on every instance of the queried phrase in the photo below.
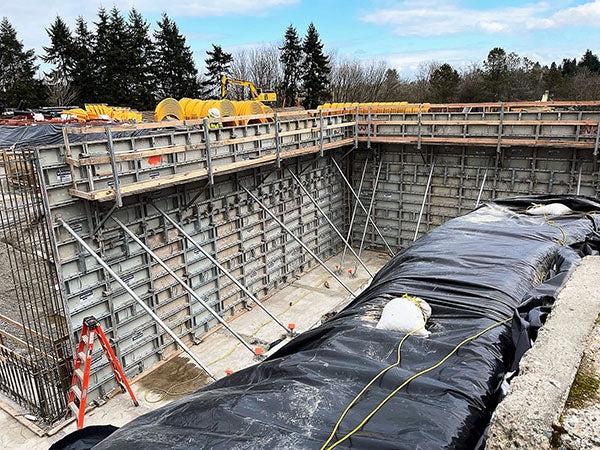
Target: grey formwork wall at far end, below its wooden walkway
(457, 179)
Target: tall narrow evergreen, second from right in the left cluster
(140, 52)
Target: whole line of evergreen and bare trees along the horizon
(118, 59)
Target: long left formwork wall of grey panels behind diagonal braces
(228, 225)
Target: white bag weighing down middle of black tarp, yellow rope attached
(405, 314)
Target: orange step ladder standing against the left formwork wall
(82, 361)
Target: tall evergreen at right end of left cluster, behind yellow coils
(175, 71)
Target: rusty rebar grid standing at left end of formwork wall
(35, 353)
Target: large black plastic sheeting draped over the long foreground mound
(474, 270)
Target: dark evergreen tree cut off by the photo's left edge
(18, 86)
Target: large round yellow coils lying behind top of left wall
(192, 108)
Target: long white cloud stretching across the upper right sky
(441, 17)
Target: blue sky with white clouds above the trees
(403, 33)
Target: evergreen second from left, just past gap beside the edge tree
(60, 53)
